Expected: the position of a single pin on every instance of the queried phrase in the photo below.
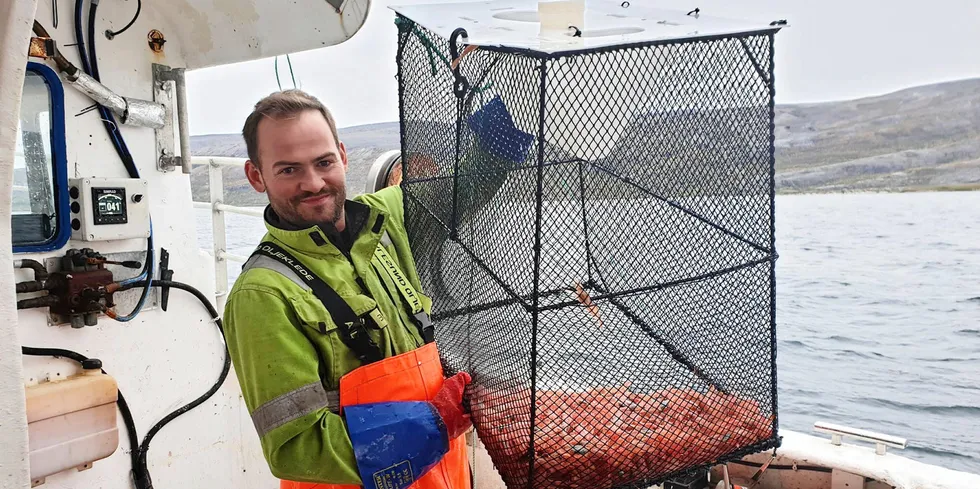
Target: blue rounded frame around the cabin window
(59, 164)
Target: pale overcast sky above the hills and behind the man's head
(832, 50)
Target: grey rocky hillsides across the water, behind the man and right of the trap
(923, 138)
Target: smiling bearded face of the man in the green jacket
(302, 169)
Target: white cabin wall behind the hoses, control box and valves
(162, 360)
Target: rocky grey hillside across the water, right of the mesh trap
(917, 139)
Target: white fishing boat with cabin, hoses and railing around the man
(113, 371)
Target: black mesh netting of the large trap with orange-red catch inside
(596, 232)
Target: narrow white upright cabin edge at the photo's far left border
(15, 31)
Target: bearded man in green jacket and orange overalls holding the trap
(328, 317)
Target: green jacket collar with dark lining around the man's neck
(363, 221)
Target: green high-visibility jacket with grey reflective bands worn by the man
(287, 351)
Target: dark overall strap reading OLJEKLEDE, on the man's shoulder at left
(352, 327)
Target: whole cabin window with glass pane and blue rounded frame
(39, 219)
